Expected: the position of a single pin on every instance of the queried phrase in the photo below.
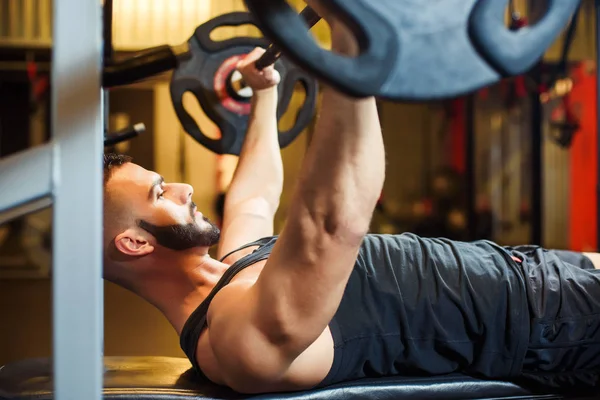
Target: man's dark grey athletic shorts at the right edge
(563, 291)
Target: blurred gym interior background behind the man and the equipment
(515, 162)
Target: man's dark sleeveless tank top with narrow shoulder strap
(415, 306)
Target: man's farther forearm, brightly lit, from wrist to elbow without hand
(260, 169)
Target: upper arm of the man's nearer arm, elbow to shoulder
(301, 286)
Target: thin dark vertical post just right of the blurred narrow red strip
(470, 181)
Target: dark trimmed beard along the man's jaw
(184, 237)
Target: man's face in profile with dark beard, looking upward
(165, 210)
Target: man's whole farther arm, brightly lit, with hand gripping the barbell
(253, 196)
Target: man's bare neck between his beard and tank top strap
(181, 289)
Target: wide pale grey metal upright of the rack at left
(77, 222)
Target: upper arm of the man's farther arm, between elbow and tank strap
(244, 223)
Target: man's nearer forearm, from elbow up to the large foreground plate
(345, 166)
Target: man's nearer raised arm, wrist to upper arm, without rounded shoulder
(303, 282)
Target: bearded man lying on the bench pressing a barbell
(326, 302)
